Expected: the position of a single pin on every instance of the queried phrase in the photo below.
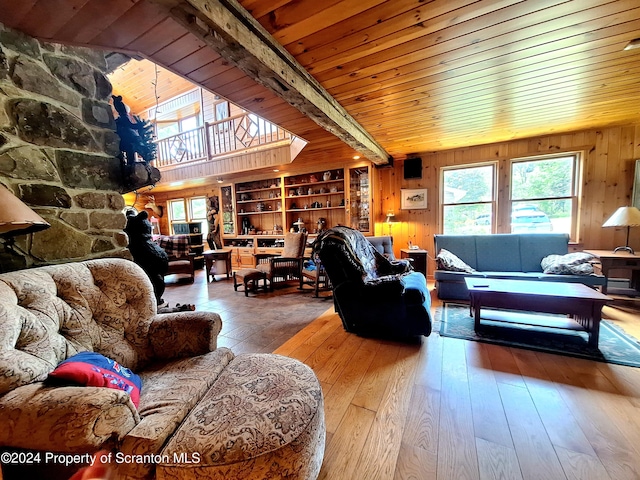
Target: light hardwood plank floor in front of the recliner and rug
(454, 409)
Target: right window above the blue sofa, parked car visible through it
(543, 194)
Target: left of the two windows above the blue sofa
(468, 199)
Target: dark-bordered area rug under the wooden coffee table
(614, 345)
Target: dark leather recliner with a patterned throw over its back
(373, 295)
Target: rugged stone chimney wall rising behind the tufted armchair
(58, 150)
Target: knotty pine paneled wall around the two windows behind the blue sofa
(609, 156)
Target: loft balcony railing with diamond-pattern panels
(233, 134)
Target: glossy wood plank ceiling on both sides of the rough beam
(418, 75)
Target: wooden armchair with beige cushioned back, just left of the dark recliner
(286, 267)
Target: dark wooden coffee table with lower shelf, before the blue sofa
(582, 304)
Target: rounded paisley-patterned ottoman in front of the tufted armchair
(264, 414)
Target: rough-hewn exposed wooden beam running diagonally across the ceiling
(229, 29)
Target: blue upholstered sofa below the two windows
(509, 256)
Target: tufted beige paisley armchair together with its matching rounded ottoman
(203, 412)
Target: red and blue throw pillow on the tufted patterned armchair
(94, 370)
